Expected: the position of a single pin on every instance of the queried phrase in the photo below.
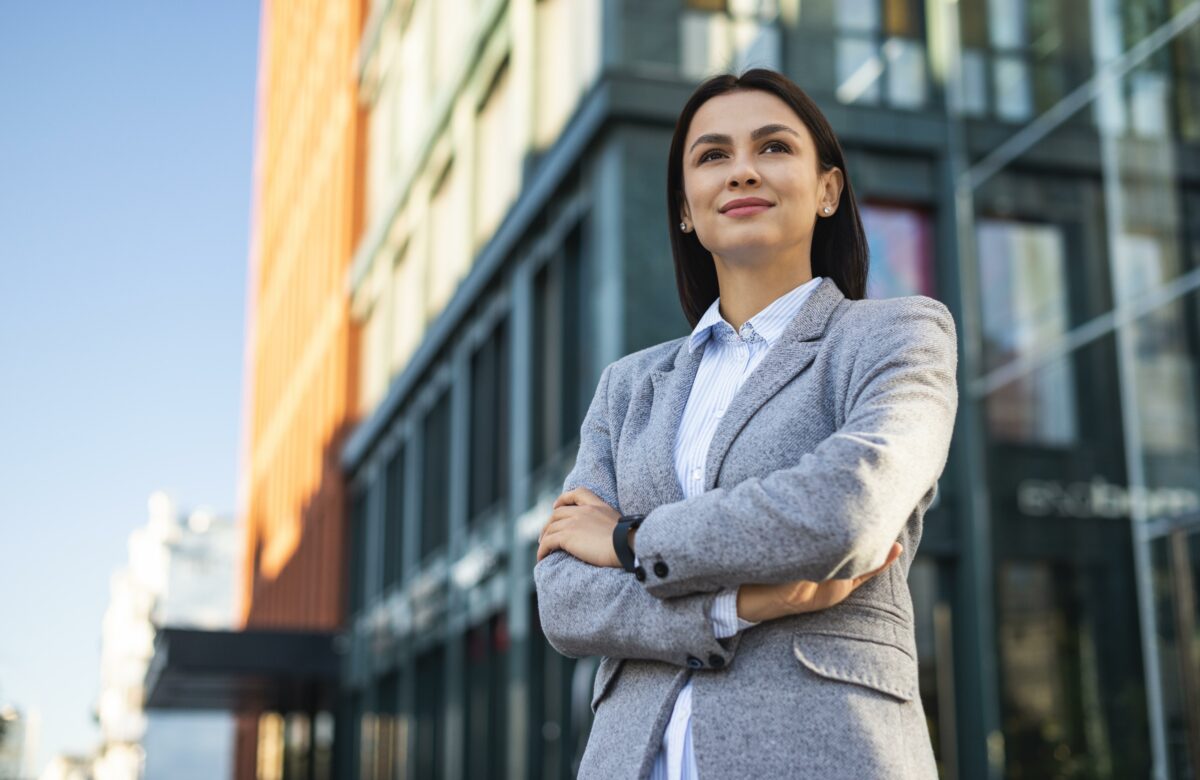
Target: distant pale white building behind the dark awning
(181, 573)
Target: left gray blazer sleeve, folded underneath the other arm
(589, 610)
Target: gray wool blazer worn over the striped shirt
(830, 452)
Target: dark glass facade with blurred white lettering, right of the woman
(1085, 277)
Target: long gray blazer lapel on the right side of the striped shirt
(795, 351)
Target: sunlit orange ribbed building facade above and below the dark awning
(301, 355)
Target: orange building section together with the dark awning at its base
(278, 673)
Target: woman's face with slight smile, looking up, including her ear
(749, 145)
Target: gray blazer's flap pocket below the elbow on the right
(850, 659)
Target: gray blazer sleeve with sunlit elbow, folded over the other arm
(837, 513)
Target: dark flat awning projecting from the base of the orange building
(242, 671)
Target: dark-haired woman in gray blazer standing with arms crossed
(727, 536)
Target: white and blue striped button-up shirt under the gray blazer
(728, 362)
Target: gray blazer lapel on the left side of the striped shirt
(673, 386)
